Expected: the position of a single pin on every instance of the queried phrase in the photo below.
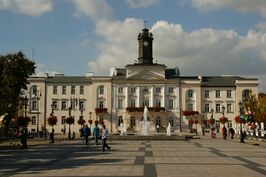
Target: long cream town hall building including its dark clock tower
(122, 96)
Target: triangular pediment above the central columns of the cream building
(146, 75)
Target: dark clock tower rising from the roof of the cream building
(145, 47)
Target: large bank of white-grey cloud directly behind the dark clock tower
(200, 52)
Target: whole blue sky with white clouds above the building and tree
(200, 37)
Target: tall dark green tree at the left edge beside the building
(15, 68)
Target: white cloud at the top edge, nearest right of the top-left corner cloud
(96, 9)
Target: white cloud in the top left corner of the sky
(27, 7)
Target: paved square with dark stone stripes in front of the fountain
(194, 158)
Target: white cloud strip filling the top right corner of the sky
(238, 5)
